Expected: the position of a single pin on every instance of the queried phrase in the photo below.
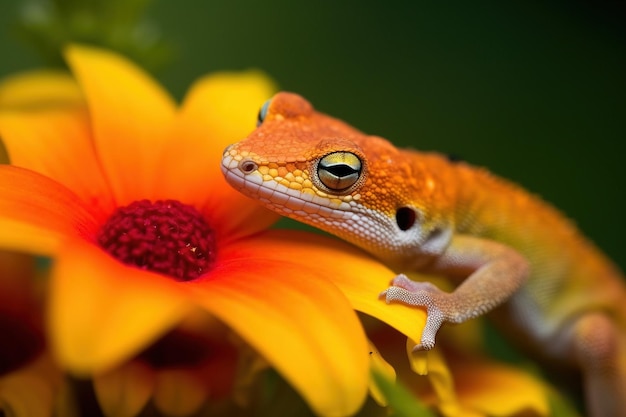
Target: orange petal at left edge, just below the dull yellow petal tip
(57, 143)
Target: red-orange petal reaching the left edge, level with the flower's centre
(37, 212)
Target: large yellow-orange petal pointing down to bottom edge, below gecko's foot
(300, 323)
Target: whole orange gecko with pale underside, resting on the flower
(510, 253)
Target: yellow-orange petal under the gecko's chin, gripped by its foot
(360, 277)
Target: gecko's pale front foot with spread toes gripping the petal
(421, 294)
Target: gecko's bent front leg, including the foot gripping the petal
(489, 273)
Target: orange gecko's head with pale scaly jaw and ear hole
(319, 170)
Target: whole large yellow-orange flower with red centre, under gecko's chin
(122, 188)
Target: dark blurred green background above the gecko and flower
(533, 90)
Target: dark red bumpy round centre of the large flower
(164, 236)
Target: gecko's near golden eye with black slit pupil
(339, 171)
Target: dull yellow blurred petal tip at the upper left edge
(39, 89)
